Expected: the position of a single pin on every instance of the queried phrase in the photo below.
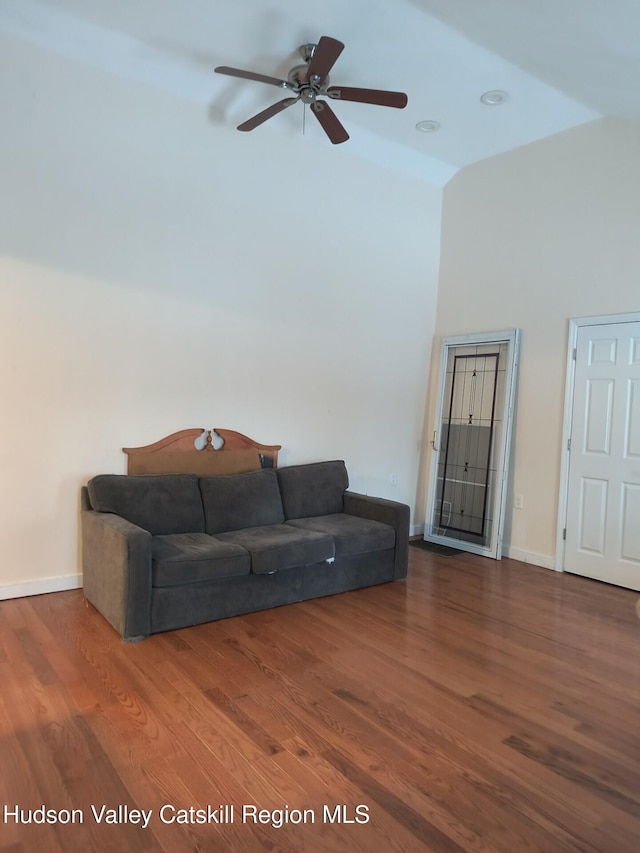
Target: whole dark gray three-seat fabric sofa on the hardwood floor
(167, 551)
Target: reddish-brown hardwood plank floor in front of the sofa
(478, 706)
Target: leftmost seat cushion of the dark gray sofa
(192, 557)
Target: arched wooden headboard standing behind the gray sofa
(178, 454)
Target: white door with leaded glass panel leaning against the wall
(471, 442)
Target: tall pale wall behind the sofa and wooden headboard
(159, 271)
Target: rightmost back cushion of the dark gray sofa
(313, 489)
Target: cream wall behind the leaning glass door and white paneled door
(531, 239)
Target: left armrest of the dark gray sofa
(116, 565)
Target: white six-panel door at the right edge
(602, 534)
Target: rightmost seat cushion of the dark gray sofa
(352, 535)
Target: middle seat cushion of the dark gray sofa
(279, 546)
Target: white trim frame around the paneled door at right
(574, 326)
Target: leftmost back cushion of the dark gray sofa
(160, 503)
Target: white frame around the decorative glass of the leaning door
(512, 338)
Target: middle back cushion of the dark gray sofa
(241, 500)
